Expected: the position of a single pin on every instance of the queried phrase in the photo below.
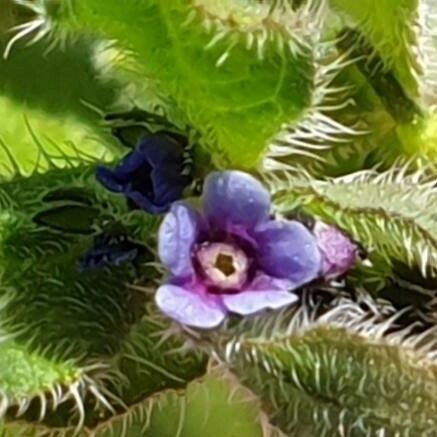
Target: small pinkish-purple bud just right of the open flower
(339, 252)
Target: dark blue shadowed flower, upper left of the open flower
(150, 176)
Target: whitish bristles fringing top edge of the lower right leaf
(376, 321)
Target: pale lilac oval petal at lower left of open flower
(189, 307)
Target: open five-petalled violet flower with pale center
(233, 257)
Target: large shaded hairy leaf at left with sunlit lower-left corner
(94, 324)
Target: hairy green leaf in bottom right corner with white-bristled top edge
(342, 371)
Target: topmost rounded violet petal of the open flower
(235, 198)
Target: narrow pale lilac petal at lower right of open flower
(264, 293)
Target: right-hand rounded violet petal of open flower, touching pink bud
(288, 250)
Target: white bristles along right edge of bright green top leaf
(317, 133)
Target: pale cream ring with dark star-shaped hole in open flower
(224, 265)
